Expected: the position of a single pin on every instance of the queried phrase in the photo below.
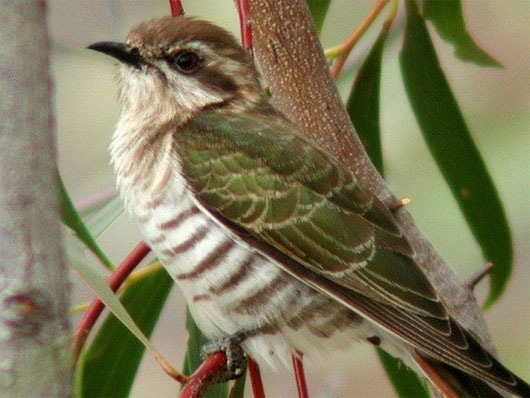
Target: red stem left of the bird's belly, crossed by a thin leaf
(115, 281)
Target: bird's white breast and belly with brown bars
(227, 284)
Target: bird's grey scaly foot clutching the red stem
(236, 361)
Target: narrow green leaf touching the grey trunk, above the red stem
(71, 218)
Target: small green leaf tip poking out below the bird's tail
(405, 381)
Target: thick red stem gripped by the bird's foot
(204, 376)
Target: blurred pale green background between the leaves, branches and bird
(496, 105)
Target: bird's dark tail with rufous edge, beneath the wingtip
(454, 383)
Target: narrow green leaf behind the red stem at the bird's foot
(193, 357)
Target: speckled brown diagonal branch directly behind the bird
(288, 50)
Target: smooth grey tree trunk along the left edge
(35, 338)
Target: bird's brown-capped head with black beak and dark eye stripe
(183, 65)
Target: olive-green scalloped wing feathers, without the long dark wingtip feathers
(287, 192)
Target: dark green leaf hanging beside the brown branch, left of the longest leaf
(363, 102)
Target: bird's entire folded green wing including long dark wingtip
(300, 207)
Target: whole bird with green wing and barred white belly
(266, 233)
